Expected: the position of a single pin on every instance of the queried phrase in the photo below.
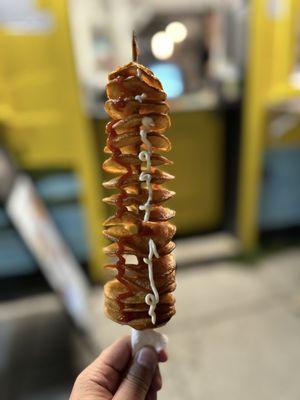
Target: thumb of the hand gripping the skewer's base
(138, 379)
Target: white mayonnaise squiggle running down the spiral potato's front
(151, 299)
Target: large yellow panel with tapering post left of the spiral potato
(43, 120)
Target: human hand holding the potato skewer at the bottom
(114, 375)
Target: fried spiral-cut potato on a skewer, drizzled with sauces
(141, 293)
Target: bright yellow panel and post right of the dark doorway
(270, 60)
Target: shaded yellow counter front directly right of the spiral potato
(198, 155)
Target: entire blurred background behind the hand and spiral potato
(231, 69)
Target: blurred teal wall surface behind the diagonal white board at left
(60, 192)
